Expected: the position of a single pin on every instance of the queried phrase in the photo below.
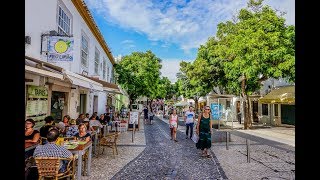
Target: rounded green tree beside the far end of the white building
(139, 74)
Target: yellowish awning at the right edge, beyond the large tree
(280, 95)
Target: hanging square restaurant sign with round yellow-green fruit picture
(60, 48)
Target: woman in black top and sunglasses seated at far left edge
(30, 134)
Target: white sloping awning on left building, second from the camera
(79, 80)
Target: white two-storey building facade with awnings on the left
(91, 57)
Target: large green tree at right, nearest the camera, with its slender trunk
(255, 47)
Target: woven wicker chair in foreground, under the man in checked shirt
(48, 167)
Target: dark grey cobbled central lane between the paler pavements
(166, 159)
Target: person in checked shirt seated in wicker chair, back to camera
(52, 150)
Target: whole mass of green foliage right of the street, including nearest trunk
(251, 48)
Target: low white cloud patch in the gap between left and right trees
(170, 67)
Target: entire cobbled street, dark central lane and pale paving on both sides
(153, 155)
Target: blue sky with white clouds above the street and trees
(172, 30)
